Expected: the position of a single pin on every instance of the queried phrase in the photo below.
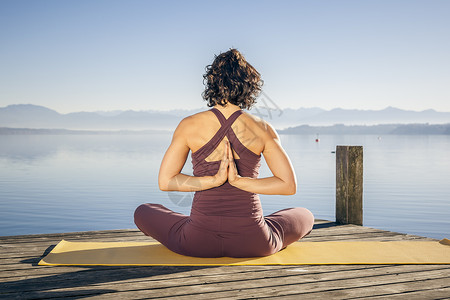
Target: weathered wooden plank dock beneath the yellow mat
(22, 278)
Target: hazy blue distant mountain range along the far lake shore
(33, 116)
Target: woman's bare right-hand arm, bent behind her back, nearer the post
(283, 181)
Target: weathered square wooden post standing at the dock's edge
(349, 185)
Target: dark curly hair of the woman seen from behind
(230, 78)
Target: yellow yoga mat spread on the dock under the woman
(299, 253)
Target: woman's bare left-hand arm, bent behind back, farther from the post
(170, 177)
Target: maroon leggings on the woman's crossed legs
(218, 236)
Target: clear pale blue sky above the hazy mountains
(87, 55)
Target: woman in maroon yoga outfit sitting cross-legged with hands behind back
(226, 143)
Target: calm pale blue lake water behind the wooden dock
(64, 183)
